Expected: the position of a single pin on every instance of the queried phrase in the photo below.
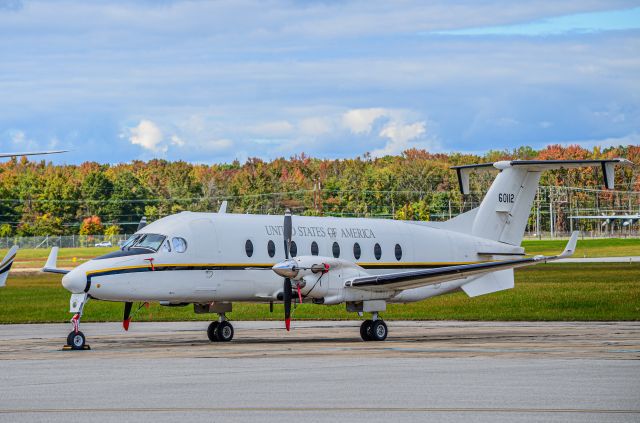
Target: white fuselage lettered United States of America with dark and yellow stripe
(228, 257)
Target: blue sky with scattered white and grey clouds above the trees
(209, 82)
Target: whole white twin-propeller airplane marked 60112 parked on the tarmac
(211, 260)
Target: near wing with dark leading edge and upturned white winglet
(417, 278)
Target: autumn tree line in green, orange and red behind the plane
(40, 198)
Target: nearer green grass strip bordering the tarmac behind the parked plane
(584, 291)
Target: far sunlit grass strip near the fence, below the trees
(609, 247)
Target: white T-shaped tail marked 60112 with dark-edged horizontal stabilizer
(504, 211)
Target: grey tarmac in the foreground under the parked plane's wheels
(322, 371)
